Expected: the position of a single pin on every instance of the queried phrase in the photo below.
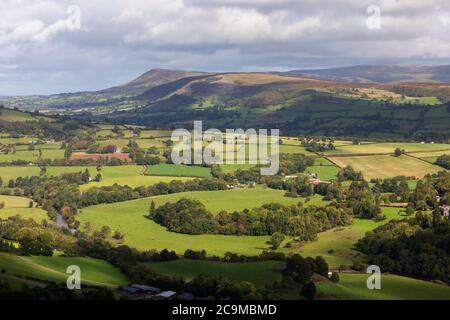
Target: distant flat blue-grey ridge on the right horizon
(380, 73)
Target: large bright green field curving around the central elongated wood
(130, 218)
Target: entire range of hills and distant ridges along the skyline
(293, 103)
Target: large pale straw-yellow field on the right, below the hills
(386, 166)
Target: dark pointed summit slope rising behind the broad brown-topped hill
(152, 79)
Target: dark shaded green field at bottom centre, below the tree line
(259, 273)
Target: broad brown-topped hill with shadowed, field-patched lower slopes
(296, 105)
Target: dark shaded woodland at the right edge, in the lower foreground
(416, 246)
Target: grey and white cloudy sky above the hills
(54, 46)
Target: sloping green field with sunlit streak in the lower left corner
(93, 271)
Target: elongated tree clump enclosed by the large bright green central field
(191, 217)
